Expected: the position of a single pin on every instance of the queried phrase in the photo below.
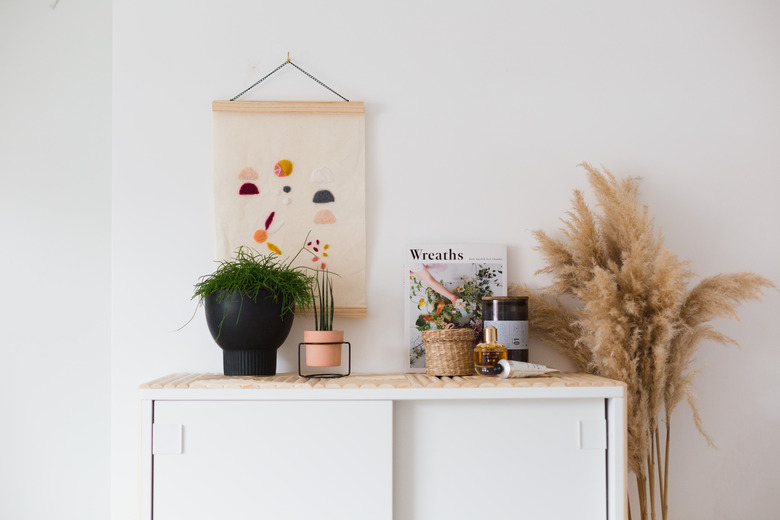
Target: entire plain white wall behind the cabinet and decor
(475, 114)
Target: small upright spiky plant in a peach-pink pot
(323, 345)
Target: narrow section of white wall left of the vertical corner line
(55, 211)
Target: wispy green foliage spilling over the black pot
(250, 271)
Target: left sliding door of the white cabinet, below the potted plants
(272, 459)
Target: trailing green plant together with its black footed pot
(250, 305)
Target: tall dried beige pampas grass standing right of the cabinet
(636, 318)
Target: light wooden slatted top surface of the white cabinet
(205, 381)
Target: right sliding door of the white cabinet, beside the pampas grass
(500, 459)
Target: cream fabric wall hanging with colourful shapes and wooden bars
(285, 170)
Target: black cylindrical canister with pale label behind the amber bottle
(509, 315)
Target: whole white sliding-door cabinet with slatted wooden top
(403, 446)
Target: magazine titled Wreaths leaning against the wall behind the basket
(445, 284)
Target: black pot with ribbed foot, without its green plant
(248, 330)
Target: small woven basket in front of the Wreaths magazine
(449, 352)
